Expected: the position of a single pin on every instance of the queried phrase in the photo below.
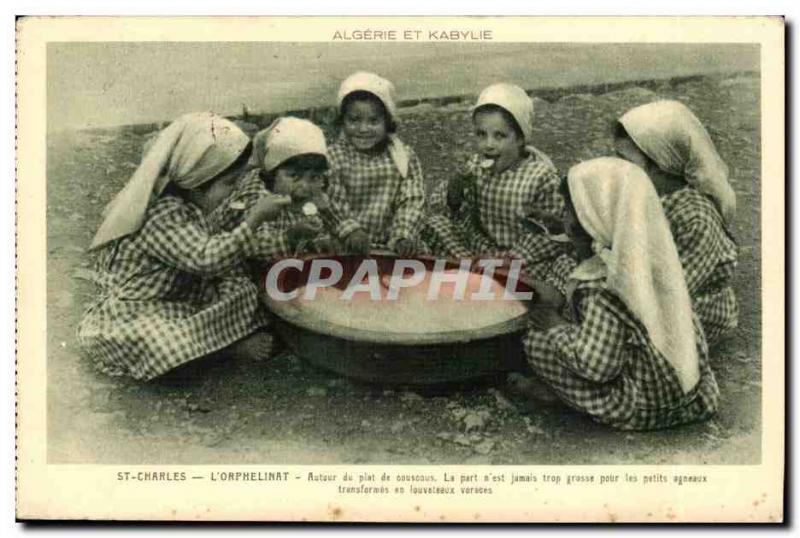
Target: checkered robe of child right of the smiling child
(492, 219)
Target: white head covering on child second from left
(286, 138)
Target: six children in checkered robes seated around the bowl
(631, 257)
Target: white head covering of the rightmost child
(672, 136)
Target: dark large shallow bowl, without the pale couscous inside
(394, 357)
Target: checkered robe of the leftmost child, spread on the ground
(173, 292)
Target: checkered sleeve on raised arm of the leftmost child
(172, 235)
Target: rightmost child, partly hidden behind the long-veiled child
(668, 141)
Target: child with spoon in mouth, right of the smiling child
(497, 205)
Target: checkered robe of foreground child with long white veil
(605, 365)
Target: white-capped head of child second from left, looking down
(293, 157)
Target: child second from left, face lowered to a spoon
(291, 160)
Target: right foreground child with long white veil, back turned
(635, 357)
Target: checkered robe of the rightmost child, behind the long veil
(708, 255)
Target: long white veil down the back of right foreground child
(618, 206)
